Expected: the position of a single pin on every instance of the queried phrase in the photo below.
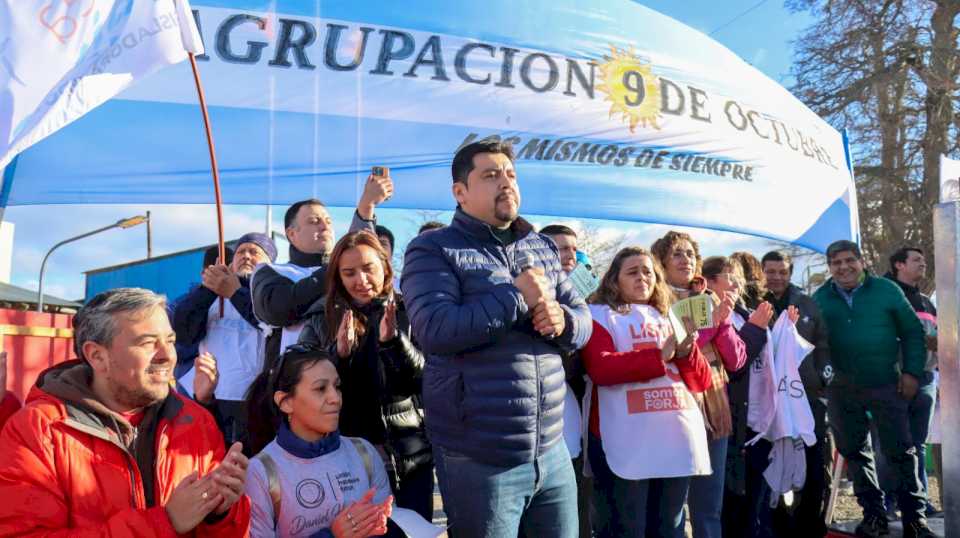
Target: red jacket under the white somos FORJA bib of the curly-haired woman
(606, 366)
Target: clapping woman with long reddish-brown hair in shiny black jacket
(363, 326)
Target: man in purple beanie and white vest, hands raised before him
(233, 341)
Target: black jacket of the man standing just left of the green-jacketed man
(815, 370)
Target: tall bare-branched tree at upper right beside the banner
(886, 71)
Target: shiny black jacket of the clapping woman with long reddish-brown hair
(380, 383)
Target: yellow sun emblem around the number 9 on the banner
(632, 88)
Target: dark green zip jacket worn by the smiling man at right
(865, 341)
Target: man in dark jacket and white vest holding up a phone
(282, 293)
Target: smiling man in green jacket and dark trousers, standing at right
(878, 354)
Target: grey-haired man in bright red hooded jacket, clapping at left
(104, 447)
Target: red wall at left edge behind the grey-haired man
(27, 356)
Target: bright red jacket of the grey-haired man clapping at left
(64, 473)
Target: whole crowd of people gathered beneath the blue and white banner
(342, 388)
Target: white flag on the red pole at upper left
(59, 59)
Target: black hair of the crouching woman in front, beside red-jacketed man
(263, 414)
